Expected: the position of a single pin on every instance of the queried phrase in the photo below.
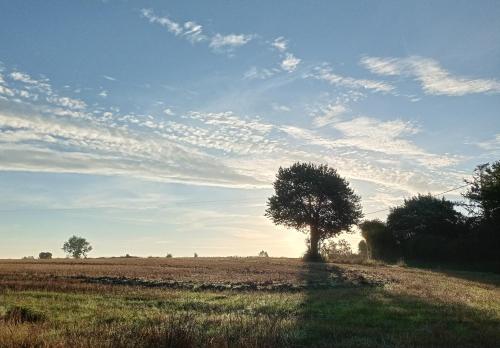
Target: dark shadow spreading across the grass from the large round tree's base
(350, 313)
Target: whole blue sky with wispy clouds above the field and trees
(155, 127)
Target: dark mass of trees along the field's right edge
(429, 229)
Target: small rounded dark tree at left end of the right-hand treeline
(380, 243)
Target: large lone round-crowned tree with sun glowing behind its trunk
(315, 197)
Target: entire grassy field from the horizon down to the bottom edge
(329, 305)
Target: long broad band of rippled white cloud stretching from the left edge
(210, 148)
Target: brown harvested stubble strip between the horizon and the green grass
(190, 273)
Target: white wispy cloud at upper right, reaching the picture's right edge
(434, 79)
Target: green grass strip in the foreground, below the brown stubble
(342, 317)
